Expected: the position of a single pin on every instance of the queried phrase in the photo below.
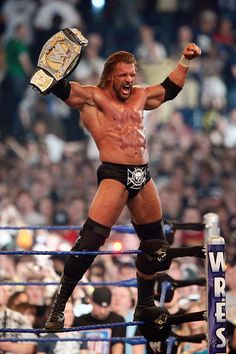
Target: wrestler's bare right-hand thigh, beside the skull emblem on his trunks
(145, 207)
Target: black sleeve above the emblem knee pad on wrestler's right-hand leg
(150, 231)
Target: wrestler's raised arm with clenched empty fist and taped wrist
(173, 84)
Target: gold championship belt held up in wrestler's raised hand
(58, 58)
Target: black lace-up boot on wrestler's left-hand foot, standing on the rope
(55, 319)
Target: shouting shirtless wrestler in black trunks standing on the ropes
(112, 112)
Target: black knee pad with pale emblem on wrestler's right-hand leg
(153, 259)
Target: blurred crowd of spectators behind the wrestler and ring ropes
(48, 162)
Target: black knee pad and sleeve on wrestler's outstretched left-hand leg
(92, 236)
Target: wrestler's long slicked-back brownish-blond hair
(113, 59)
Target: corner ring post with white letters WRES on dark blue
(215, 273)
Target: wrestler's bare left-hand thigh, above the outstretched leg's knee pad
(108, 202)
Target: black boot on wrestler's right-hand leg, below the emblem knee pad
(145, 296)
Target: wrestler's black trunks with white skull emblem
(134, 177)
